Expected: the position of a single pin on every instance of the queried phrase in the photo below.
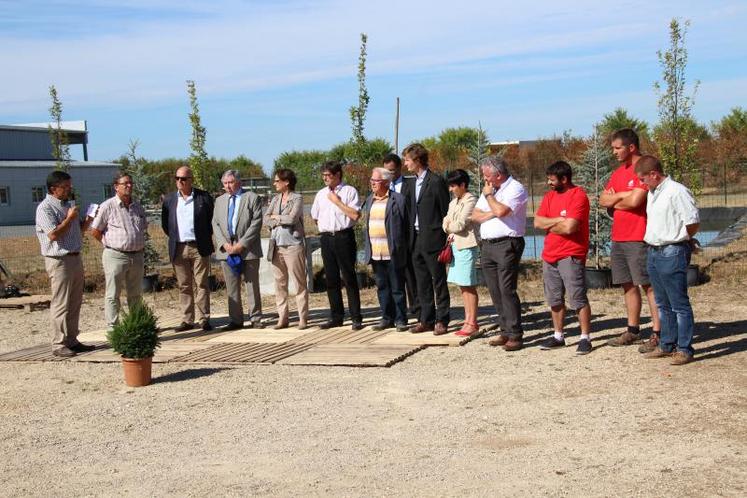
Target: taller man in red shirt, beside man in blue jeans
(625, 196)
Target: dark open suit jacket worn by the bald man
(203, 218)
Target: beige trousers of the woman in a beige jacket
(290, 260)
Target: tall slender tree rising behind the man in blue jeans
(676, 133)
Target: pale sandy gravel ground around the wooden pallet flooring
(473, 420)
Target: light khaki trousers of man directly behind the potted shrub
(122, 271)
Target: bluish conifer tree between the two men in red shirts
(592, 173)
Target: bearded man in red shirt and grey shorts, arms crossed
(564, 215)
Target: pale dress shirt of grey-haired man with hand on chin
(512, 194)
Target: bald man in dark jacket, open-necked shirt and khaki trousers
(186, 218)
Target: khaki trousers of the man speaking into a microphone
(66, 279)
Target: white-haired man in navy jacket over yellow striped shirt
(386, 248)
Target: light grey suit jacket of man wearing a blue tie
(248, 225)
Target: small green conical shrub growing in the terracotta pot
(136, 334)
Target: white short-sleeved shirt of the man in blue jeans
(670, 208)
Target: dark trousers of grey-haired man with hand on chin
(500, 267)
